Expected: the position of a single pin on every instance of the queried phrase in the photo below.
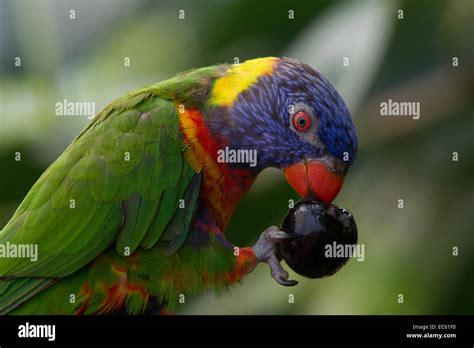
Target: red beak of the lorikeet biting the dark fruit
(316, 177)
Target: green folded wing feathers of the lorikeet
(119, 183)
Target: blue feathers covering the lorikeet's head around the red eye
(262, 118)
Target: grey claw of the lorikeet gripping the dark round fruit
(265, 250)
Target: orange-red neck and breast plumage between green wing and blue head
(224, 185)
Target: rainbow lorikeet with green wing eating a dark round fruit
(131, 217)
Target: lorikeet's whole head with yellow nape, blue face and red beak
(294, 119)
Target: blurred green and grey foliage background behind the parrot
(408, 251)
